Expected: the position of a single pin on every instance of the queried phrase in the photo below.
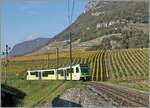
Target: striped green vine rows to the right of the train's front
(123, 64)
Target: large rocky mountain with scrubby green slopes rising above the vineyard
(105, 20)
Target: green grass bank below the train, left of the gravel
(39, 93)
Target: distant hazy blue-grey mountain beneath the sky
(28, 46)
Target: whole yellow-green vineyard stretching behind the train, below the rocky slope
(120, 64)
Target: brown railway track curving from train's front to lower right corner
(128, 97)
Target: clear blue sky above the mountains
(28, 19)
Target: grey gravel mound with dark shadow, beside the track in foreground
(85, 97)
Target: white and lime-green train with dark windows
(79, 72)
